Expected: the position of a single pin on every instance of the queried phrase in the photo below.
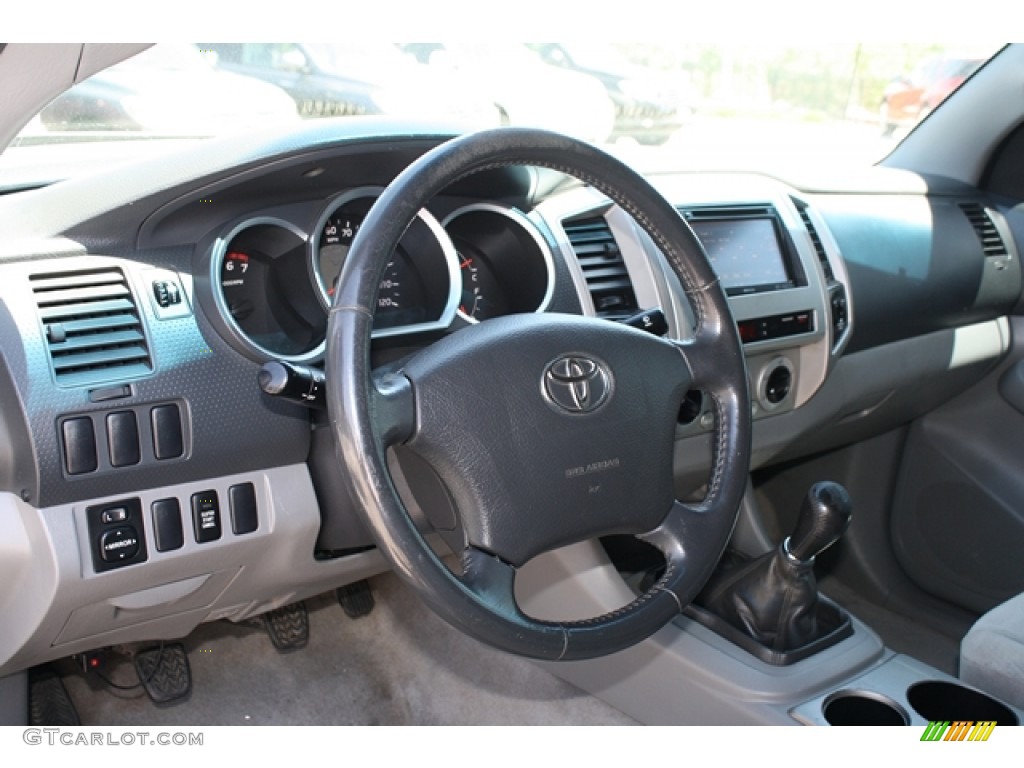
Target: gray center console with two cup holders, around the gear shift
(693, 672)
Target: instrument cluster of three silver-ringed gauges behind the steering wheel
(273, 284)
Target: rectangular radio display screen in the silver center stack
(746, 253)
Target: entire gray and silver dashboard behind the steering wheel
(150, 484)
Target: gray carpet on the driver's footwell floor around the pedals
(399, 666)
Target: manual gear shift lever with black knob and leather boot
(775, 600)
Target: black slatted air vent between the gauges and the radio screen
(603, 267)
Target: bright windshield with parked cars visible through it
(658, 106)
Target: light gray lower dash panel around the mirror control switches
(55, 605)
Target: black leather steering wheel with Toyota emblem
(545, 430)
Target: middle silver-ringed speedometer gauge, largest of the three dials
(417, 291)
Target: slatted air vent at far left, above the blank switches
(93, 327)
